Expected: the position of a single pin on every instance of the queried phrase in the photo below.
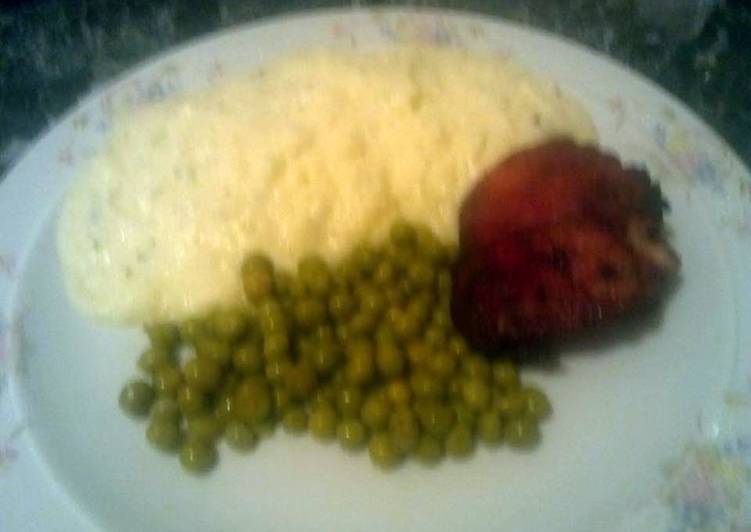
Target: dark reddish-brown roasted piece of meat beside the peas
(556, 239)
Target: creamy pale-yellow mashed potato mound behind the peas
(318, 152)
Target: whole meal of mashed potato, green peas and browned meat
(353, 244)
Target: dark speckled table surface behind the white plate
(54, 52)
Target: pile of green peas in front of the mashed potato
(362, 352)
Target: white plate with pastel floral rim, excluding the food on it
(650, 433)
